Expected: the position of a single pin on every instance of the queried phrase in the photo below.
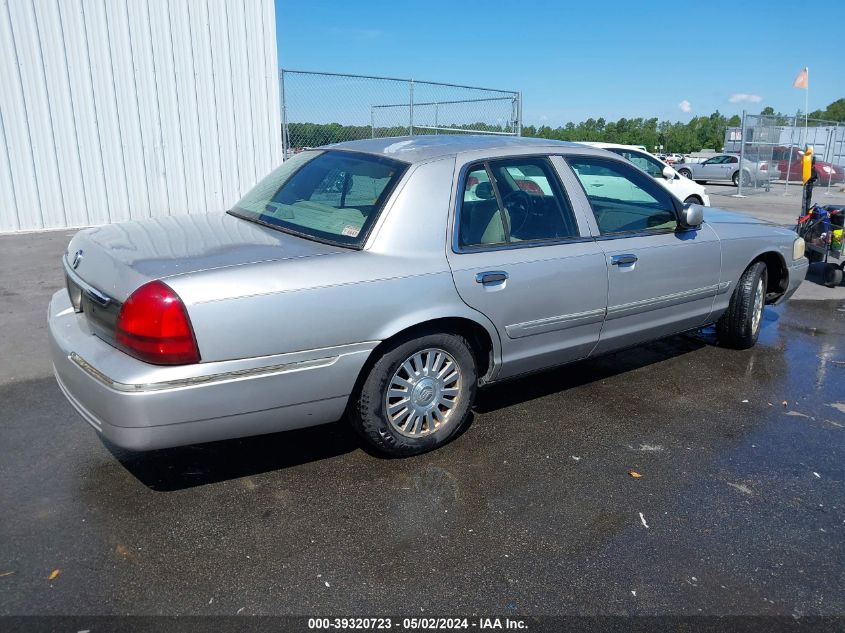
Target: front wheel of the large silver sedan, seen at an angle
(739, 327)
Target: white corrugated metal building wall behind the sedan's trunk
(122, 109)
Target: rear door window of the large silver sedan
(511, 201)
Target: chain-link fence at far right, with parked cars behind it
(771, 151)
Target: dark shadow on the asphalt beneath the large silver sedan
(190, 466)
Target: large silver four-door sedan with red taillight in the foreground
(385, 281)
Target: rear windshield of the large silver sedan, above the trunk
(327, 196)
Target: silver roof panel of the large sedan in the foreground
(416, 149)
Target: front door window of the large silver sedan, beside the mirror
(623, 200)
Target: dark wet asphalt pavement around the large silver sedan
(740, 508)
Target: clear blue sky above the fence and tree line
(582, 59)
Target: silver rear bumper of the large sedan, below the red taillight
(143, 407)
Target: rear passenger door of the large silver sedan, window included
(525, 259)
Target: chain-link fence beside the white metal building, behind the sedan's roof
(322, 108)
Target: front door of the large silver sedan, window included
(662, 279)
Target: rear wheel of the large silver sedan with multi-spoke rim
(417, 395)
